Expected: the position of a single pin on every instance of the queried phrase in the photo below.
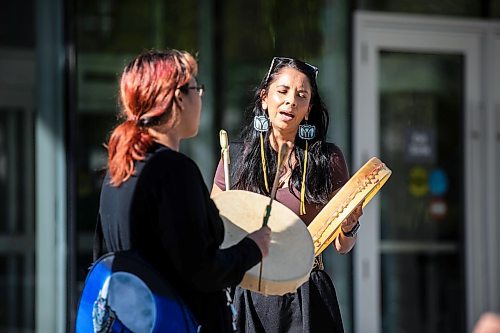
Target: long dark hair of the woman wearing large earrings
(248, 173)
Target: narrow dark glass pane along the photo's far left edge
(17, 253)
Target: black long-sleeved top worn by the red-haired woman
(164, 212)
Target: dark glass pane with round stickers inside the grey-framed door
(422, 208)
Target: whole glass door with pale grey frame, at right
(418, 106)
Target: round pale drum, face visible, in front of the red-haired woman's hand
(291, 251)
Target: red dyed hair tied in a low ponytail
(147, 88)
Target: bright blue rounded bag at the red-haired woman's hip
(123, 293)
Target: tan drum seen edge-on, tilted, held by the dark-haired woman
(360, 188)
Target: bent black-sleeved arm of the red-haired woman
(192, 232)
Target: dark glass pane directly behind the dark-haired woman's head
(253, 32)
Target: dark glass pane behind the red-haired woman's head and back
(109, 34)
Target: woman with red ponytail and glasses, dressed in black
(153, 198)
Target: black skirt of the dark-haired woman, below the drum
(312, 309)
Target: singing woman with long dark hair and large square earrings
(287, 108)
